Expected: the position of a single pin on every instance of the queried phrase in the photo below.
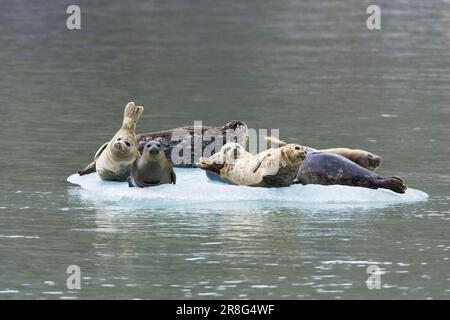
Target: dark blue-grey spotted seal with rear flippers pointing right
(326, 168)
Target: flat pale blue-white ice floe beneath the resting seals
(193, 187)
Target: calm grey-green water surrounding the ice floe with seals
(311, 69)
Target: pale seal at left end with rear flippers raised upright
(114, 159)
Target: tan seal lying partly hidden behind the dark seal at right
(364, 158)
